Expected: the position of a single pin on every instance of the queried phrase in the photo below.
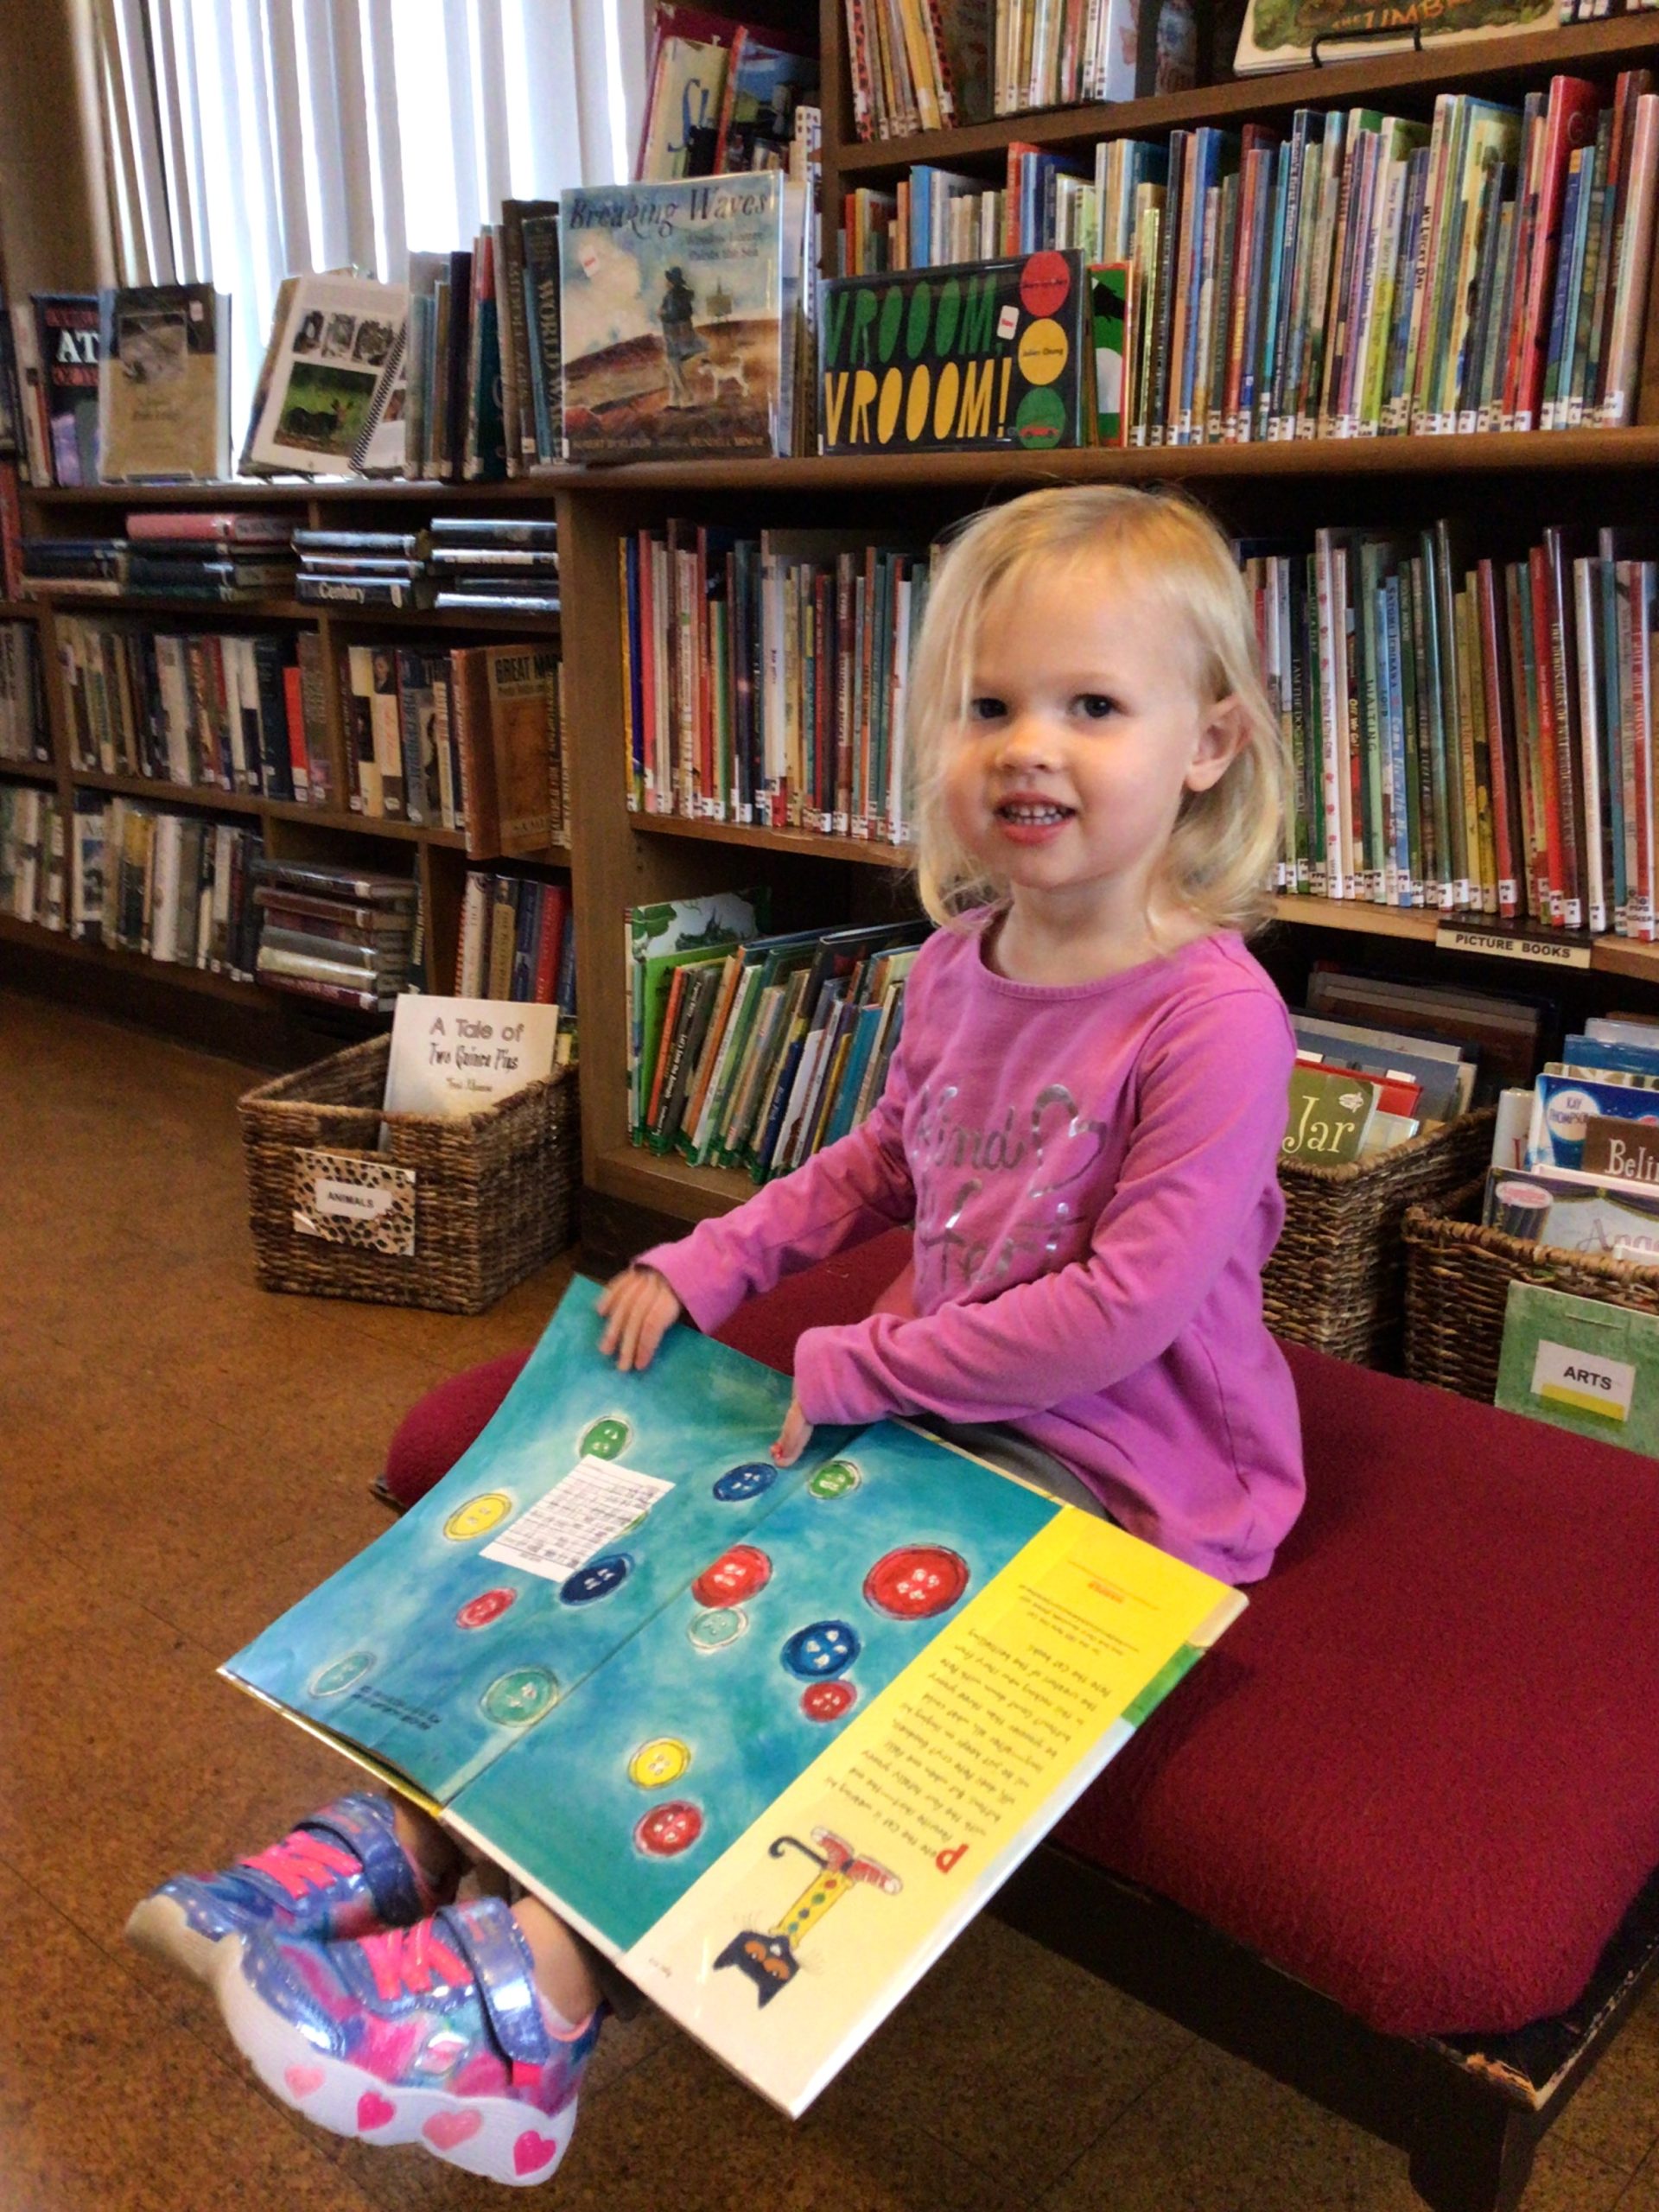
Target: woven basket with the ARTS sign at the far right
(1459, 1282)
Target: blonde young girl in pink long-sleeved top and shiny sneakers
(1083, 1123)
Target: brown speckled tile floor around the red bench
(182, 1459)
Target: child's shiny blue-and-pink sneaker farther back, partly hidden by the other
(337, 1875)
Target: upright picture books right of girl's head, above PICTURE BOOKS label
(1472, 735)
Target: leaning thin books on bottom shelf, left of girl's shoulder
(751, 1050)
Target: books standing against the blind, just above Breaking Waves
(720, 96)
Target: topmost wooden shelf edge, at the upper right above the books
(1337, 85)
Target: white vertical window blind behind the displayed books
(251, 140)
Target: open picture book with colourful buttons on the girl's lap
(769, 1738)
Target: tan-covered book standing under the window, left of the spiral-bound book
(165, 384)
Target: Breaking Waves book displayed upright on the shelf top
(678, 309)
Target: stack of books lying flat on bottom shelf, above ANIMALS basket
(337, 935)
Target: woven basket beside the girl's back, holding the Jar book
(1337, 1277)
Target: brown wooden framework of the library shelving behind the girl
(1505, 486)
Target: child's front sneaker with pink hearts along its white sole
(428, 2036)
